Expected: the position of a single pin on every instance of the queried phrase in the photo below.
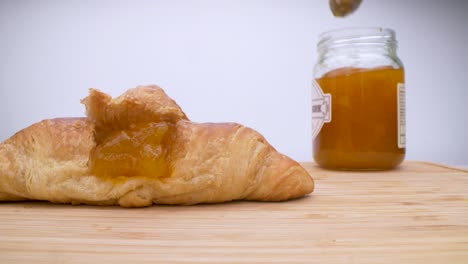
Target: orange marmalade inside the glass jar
(363, 131)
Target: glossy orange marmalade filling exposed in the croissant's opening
(140, 150)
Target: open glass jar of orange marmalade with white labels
(358, 101)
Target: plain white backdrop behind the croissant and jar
(245, 61)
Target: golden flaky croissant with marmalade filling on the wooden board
(139, 149)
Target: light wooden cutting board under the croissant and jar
(416, 214)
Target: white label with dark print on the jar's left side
(321, 108)
